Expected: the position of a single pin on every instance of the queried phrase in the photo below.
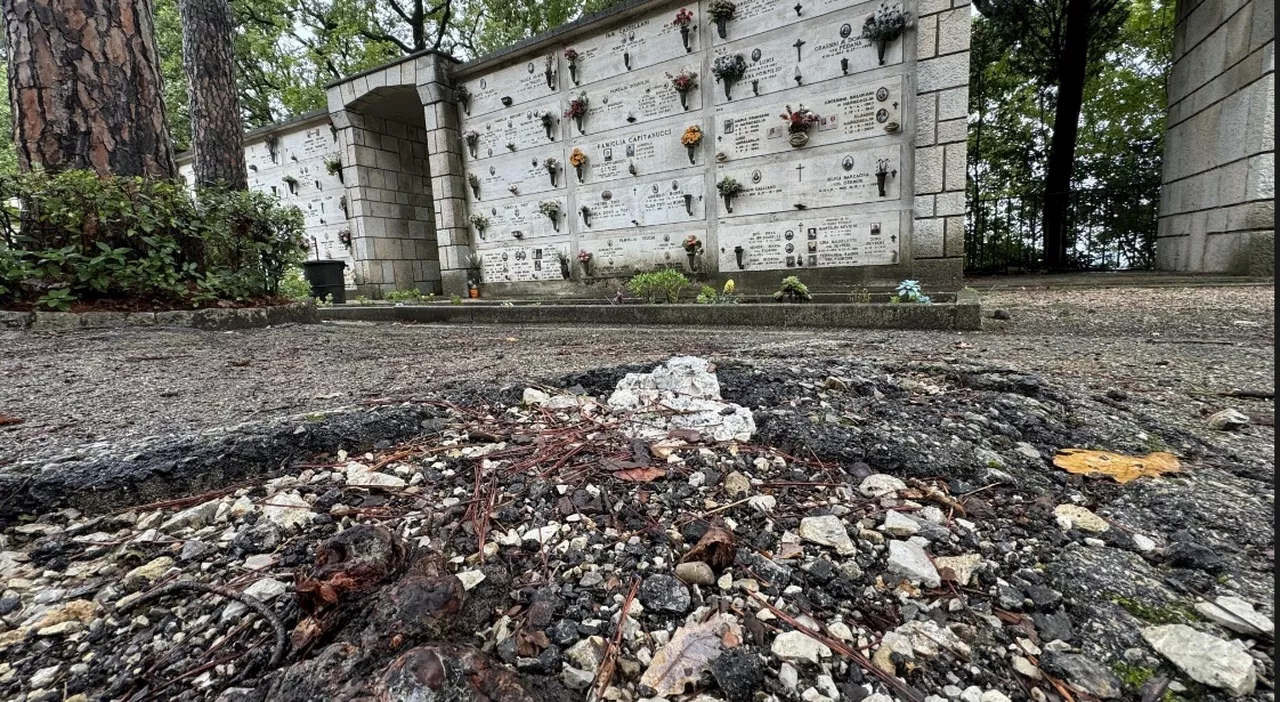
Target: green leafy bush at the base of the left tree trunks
(141, 240)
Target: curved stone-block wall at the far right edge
(1217, 207)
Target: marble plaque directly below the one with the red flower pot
(812, 180)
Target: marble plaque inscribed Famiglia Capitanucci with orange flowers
(652, 149)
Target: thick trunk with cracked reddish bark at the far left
(85, 88)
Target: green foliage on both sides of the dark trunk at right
(1014, 72)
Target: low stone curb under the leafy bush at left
(216, 320)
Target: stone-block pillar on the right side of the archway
(447, 175)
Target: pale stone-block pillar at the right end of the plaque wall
(943, 130)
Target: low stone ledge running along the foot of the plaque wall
(963, 316)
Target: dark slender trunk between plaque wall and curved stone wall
(1067, 126)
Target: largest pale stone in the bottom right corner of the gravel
(1205, 659)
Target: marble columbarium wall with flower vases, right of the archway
(874, 194)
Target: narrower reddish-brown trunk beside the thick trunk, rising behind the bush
(217, 133)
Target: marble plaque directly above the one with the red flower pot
(813, 53)
